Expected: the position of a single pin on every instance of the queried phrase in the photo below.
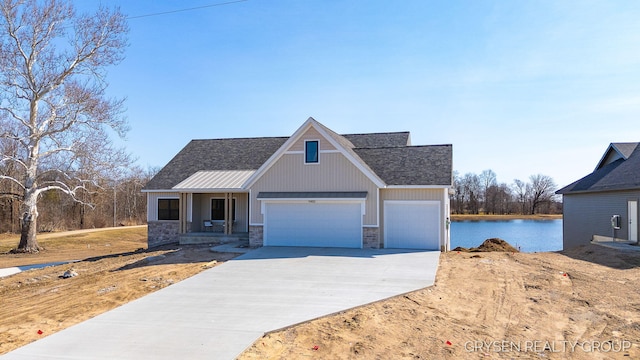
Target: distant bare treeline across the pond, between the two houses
(476, 194)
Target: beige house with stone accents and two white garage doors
(314, 188)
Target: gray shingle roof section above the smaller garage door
(411, 165)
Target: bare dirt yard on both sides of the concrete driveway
(582, 304)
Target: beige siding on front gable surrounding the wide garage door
(333, 172)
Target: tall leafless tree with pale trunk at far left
(52, 99)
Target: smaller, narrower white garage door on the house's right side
(412, 225)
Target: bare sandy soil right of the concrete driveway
(583, 304)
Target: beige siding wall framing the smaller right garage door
(436, 194)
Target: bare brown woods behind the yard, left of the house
(111, 202)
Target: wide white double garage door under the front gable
(320, 224)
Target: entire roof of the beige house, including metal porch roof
(386, 158)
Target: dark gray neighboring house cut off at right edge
(613, 188)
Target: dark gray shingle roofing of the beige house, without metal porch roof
(386, 154)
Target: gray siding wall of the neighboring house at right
(588, 214)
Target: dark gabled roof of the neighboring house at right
(619, 169)
